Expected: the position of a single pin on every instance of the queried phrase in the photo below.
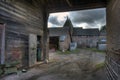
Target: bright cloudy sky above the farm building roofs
(93, 18)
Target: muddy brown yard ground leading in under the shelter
(83, 65)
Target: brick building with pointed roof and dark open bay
(60, 38)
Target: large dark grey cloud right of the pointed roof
(88, 16)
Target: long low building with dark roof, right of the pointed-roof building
(85, 37)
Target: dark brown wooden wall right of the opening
(113, 40)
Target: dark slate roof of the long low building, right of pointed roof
(85, 32)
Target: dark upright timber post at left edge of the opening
(45, 33)
